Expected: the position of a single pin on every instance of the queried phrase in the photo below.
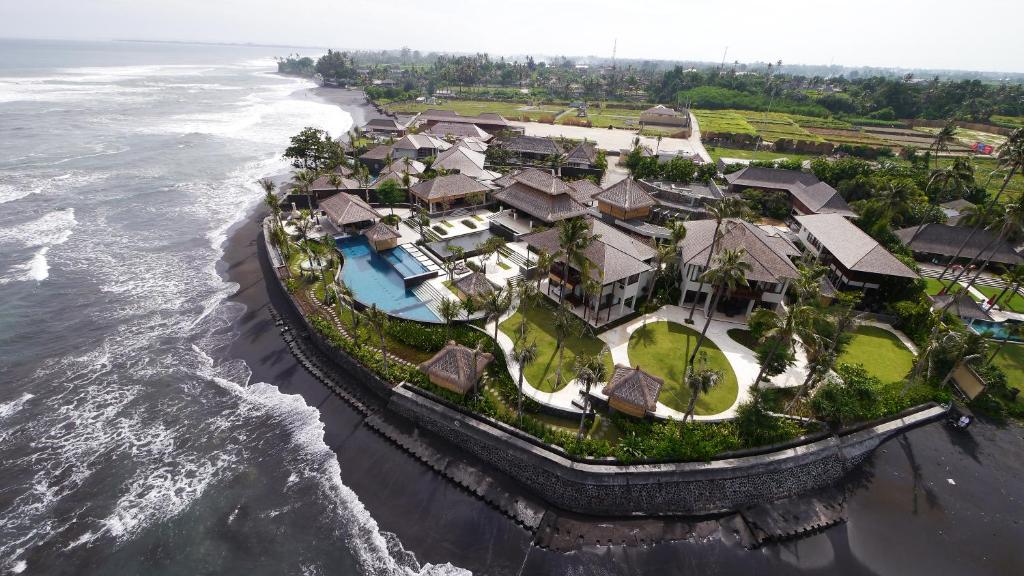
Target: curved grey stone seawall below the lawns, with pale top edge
(681, 489)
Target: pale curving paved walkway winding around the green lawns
(741, 358)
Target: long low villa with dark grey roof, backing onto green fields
(807, 194)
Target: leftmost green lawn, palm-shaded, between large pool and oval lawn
(541, 374)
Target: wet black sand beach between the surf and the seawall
(932, 502)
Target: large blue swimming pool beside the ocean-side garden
(375, 281)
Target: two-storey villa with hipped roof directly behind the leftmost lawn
(620, 272)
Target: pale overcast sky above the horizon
(920, 34)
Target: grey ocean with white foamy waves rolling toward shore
(130, 443)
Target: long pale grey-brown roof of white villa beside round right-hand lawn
(855, 250)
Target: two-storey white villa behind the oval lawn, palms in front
(767, 252)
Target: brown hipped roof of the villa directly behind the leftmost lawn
(614, 256)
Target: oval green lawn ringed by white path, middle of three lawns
(662, 349)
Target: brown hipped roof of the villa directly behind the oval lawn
(769, 256)
